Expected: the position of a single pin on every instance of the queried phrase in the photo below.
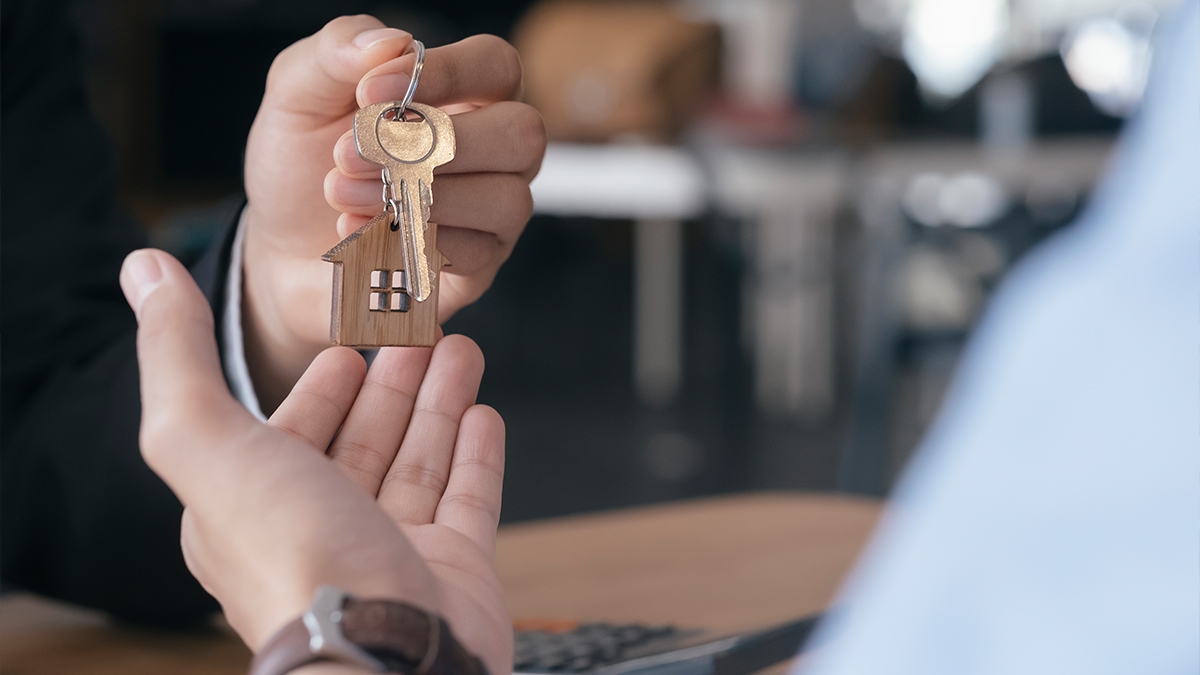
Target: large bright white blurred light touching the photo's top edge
(951, 45)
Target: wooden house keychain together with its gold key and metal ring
(386, 276)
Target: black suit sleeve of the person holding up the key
(81, 516)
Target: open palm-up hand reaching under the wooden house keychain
(405, 506)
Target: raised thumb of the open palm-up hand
(185, 402)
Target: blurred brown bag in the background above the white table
(601, 70)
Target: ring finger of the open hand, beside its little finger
(418, 477)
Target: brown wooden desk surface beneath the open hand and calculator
(728, 564)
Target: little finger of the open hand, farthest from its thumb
(472, 500)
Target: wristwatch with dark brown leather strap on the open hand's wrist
(375, 635)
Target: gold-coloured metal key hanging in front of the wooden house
(409, 151)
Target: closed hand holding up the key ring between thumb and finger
(313, 93)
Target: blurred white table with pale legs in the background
(788, 202)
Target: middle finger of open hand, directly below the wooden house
(376, 426)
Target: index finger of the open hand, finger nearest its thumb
(322, 398)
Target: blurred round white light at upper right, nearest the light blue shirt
(1109, 59)
